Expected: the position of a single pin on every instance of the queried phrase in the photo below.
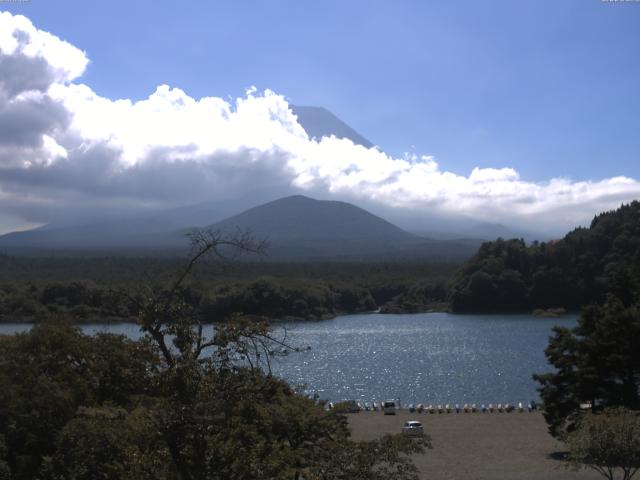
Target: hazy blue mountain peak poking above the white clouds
(319, 122)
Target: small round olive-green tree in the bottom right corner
(607, 442)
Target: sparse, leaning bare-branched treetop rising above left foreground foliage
(177, 326)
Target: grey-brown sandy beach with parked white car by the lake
(478, 446)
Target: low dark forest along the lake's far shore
(296, 291)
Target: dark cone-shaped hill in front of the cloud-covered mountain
(299, 227)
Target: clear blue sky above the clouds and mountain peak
(550, 88)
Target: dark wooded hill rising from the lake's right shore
(578, 270)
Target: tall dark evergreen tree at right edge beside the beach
(596, 363)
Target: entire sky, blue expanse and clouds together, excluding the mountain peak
(517, 112)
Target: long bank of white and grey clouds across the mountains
(64, 148)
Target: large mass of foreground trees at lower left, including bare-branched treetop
(187, 401)
